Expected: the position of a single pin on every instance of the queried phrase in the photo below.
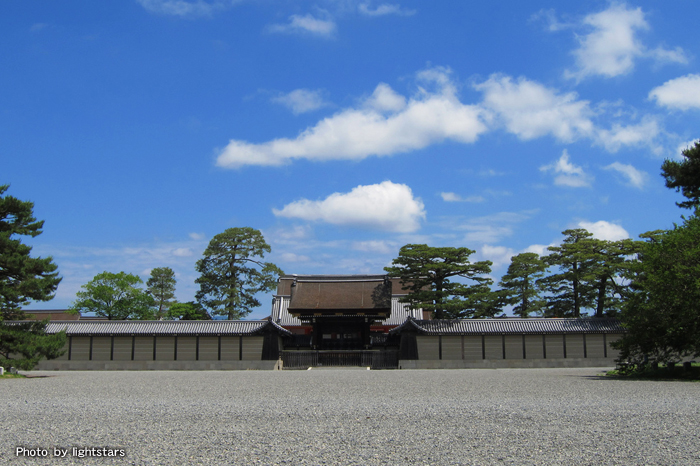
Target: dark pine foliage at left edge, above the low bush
(22, 277)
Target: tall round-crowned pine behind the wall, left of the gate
(232, 272)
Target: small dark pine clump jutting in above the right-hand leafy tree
(684, 176)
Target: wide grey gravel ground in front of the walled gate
(357, 417)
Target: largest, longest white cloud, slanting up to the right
(380, 126)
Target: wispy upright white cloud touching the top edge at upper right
(612, 46)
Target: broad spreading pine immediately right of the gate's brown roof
(427, 273)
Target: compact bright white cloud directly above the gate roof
(386, 206)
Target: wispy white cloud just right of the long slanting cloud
(530, 110)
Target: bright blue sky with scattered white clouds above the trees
(342, 129)
